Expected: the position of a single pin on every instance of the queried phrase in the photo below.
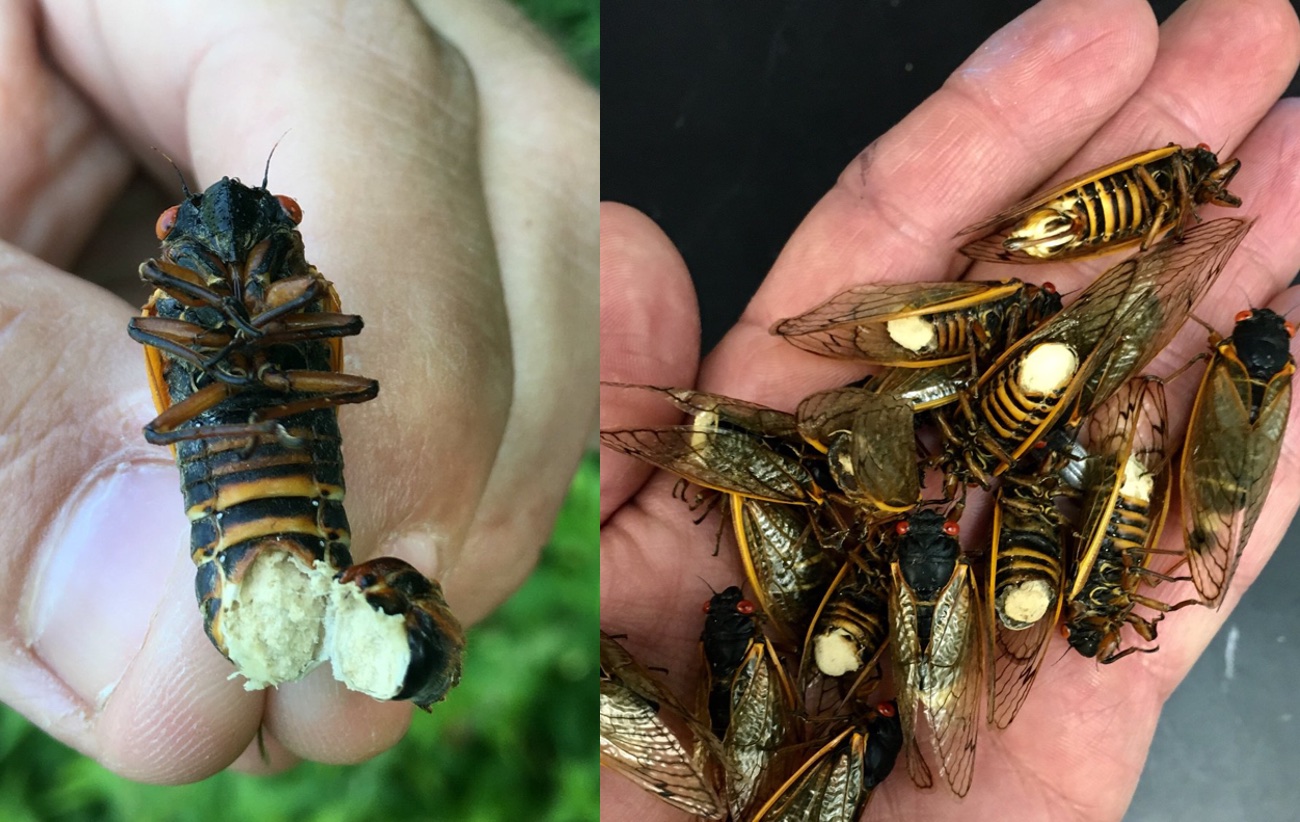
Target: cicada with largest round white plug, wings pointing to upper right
(1072, 364)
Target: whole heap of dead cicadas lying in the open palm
(866, 613)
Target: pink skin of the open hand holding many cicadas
(1033, 107)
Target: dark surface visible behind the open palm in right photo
(727, 122)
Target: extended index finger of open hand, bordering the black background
(1015, 111)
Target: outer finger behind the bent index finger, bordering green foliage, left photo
(540, 148)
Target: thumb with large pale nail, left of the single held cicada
(103, 647)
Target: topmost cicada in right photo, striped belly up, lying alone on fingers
(1119, 206)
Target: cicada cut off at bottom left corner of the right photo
(636, 742)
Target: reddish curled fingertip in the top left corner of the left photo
(59, 166)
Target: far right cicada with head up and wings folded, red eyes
(1234, 440)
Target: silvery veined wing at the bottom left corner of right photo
(636, 743)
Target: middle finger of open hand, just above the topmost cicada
(1191, 96)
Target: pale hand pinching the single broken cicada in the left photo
(445, 159)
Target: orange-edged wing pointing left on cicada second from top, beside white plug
(860, 323)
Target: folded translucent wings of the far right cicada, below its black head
(1228, 470)
